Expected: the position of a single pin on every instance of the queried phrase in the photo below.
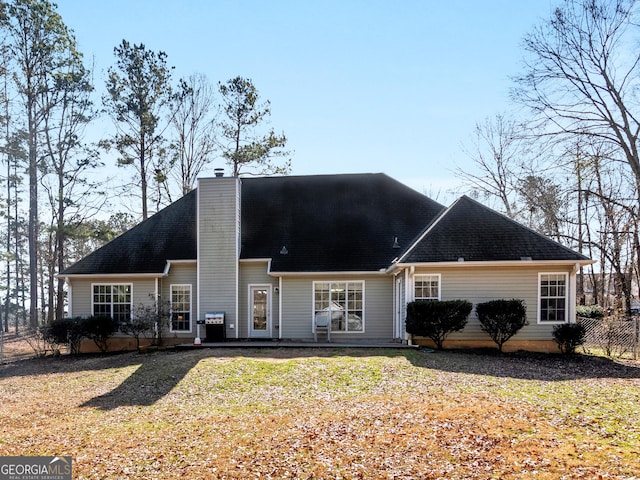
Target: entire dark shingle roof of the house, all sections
(330, 223)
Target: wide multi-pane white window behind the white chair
(341, 303)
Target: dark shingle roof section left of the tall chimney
(170, 234)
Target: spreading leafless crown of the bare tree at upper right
(581, 76)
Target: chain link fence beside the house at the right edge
(613, 336)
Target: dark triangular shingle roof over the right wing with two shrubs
(474, 232)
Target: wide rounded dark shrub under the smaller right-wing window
(437, 319)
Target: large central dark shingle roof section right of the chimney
(331, 222)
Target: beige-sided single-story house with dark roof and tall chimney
(274, 256)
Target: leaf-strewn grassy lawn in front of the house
(315, 414)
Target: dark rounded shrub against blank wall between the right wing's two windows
(502, 319)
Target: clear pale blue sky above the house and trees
(356, 85)
